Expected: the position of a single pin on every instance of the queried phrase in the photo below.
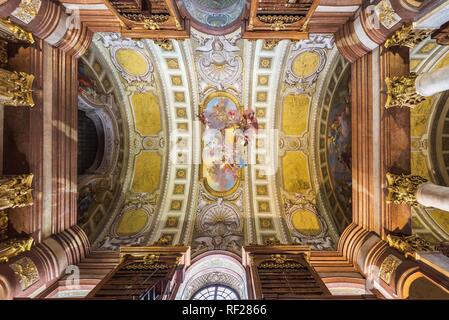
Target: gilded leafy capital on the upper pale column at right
(401, 92)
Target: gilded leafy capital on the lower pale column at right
(402, 188)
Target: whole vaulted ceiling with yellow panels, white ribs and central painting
(187, 173)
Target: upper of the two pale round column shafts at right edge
(433, 82)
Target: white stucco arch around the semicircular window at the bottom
(217, 269)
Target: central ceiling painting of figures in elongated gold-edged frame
(227, 131)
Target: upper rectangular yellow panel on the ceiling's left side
(147, 113)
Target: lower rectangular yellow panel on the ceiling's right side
(295, 172)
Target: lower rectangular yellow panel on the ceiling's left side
(147, 171)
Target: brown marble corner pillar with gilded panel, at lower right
(389, 268)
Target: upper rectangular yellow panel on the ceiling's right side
(295, 114)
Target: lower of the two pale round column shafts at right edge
(432, 195)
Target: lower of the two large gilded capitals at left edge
(16, 191)
